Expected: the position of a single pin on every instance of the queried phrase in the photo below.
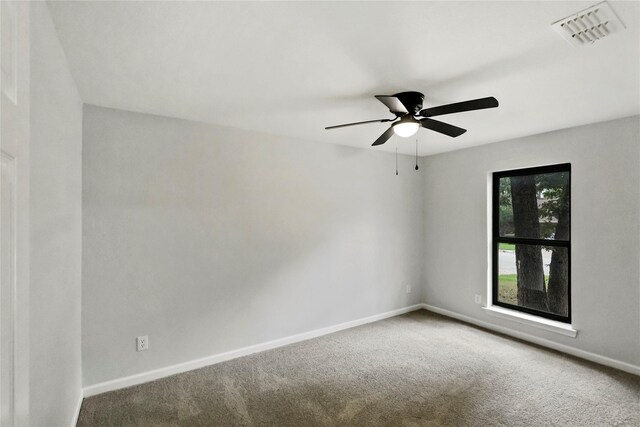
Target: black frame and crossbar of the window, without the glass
(497, 239)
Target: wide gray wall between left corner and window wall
(209, 239)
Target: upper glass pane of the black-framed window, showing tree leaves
(534, 206)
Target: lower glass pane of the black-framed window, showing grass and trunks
(534, 277)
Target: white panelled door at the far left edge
(14, 146)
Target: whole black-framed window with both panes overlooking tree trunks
(531, 241)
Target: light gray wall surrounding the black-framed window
(605, 231)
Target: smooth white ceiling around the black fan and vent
(292, 68)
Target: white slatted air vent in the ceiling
(587, 26)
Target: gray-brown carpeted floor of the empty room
(419, 369)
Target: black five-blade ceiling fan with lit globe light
(407, 107)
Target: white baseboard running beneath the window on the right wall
(603, 360)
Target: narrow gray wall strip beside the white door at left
(56, 230)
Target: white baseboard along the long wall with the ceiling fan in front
(221, 357)
